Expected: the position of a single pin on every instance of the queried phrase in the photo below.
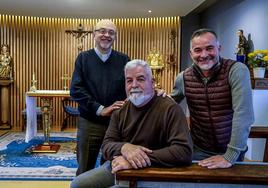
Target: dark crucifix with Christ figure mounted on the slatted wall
(79, 34)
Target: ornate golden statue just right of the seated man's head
(155, 60)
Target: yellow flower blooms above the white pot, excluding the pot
(258, 58)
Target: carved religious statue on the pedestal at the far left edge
(6, 67)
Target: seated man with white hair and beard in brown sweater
(147, 131)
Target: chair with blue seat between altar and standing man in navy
(69, 110)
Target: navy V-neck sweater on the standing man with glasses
(96, 83)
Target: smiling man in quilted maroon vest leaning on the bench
(219, 98)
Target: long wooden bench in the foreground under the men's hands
(243, 173)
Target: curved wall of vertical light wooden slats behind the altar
(41, 46)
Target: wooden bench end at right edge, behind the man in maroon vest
(260, 132)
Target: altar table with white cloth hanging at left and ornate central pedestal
(46, 108)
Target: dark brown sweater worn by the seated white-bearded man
(160, 126)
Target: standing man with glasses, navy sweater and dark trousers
(98, 87)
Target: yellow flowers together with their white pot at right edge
(258, 60)
